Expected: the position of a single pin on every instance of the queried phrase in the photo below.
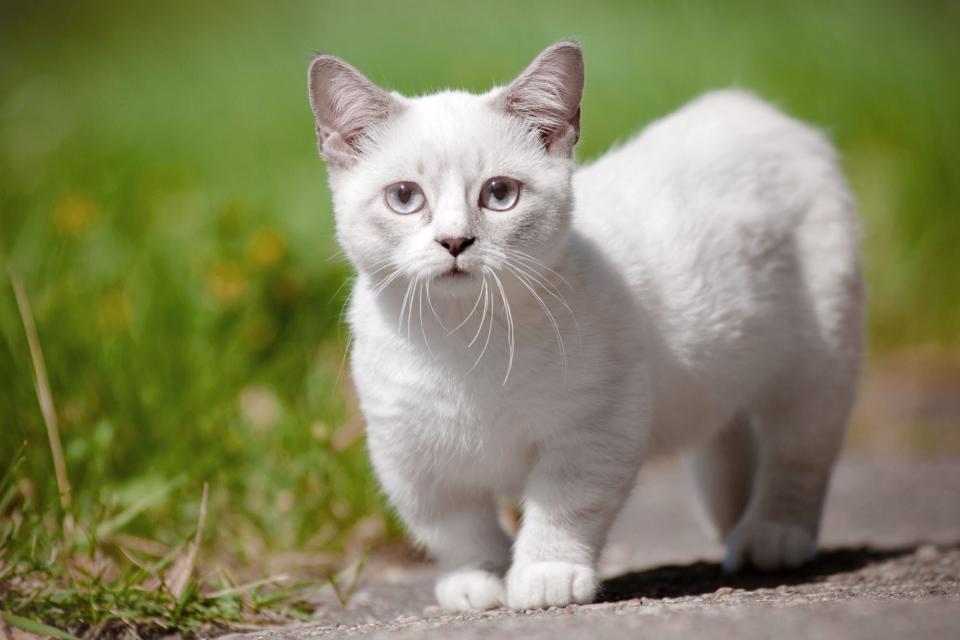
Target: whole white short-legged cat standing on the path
(524, 327)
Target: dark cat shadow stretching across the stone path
(699, 578)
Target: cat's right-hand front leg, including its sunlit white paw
(572, 497)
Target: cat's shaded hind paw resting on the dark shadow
(768, 546)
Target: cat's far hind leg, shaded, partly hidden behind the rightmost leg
(723, 470)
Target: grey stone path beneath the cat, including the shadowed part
(889, 568)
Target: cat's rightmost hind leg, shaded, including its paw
(799, 432)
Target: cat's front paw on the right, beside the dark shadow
(547, 584)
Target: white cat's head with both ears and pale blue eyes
(448, 186)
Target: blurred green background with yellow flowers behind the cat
(162, 201)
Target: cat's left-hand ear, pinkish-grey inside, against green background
(345, 105)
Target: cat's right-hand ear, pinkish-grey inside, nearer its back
(547, 95)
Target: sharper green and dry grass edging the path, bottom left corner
(72, 578)
